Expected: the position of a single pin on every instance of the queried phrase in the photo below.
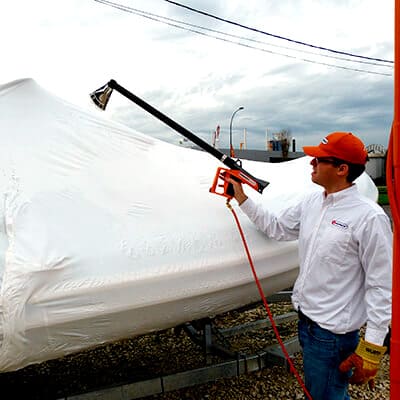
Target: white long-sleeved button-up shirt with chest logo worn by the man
(345, 257)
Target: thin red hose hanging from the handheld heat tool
(293, 369)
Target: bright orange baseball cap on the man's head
(342, 145)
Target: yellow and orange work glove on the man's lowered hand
(364, 363)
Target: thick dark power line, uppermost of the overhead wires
(275, 36)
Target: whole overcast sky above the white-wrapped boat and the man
(71, 47)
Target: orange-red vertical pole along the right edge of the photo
(394, 191)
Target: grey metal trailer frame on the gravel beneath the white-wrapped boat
(214, 341)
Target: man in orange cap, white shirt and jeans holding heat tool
(345, 258)
